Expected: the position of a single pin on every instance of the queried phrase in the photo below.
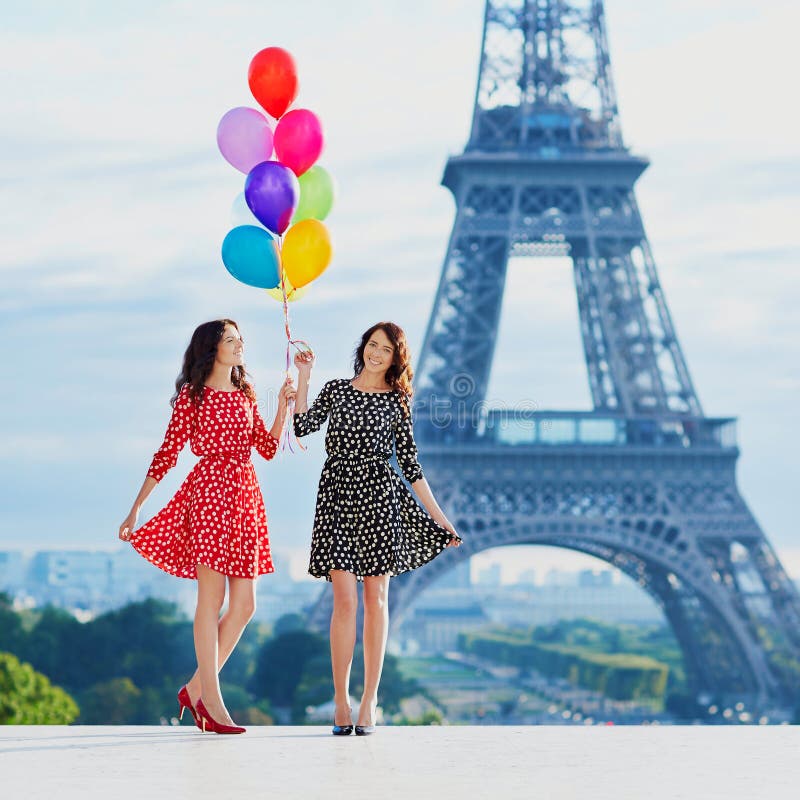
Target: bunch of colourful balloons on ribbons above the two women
(278, 241)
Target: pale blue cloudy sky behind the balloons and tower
(116, 200)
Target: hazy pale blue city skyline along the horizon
(91, 582)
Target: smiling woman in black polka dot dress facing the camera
(367, 525)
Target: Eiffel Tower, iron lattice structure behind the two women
(645, 481)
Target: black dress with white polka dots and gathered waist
(367, 522)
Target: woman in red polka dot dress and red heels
(215, 527)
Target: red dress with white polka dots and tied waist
(217, 517)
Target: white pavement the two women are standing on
(541, 763)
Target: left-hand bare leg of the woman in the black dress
(343, 641)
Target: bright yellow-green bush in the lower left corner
(28, 698)
